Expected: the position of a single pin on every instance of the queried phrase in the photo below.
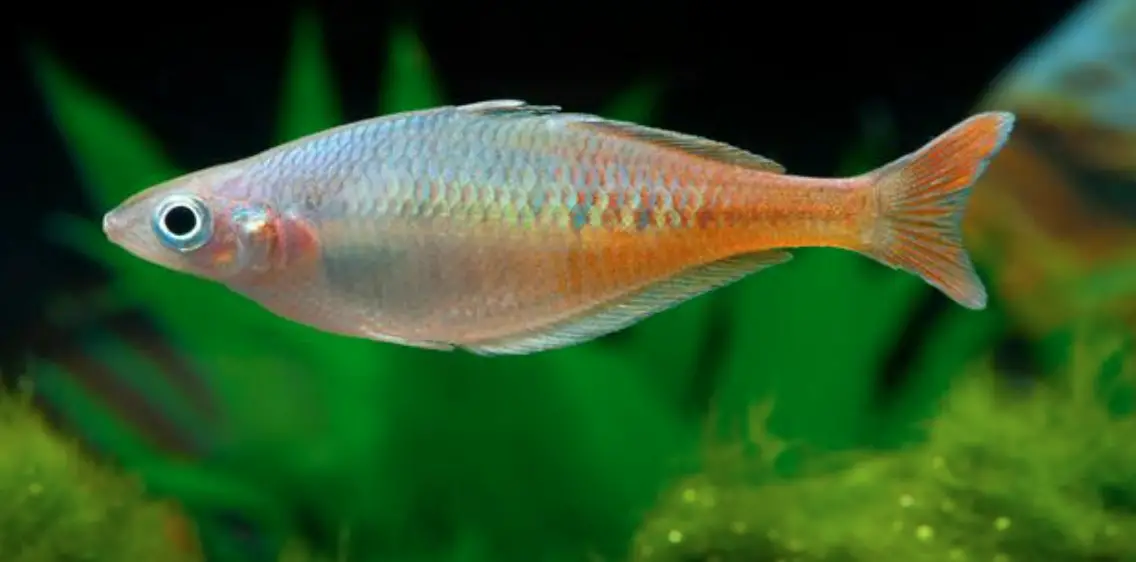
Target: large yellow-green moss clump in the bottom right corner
(1007, 474)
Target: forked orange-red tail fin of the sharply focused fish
(922, 199)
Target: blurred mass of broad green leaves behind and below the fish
(554, 456)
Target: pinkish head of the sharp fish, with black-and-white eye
(203, 224)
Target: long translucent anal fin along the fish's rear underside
(611, 317)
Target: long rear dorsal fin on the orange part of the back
(691, 145)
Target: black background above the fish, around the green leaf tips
(789, 80)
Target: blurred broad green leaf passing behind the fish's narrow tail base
(814, 334)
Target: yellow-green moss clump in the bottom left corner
(61, 507)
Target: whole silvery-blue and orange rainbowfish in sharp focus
(503, 228)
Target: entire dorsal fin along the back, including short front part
(691, 145)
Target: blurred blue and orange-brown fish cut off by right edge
(1055, 217)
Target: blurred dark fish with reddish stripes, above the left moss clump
(106, 375)
